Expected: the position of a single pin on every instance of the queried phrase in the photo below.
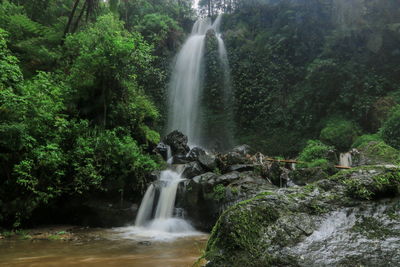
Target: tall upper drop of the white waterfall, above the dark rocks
(185, 88)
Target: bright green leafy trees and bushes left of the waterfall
(80, 121)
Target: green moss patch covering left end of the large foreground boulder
(242, 234)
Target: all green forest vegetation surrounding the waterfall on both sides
(83, 87)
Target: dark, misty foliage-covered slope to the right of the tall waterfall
(295, 64)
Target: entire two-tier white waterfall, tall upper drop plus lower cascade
(156, 212)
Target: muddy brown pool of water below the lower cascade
(128, 246)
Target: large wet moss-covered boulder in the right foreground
(327, 223)
